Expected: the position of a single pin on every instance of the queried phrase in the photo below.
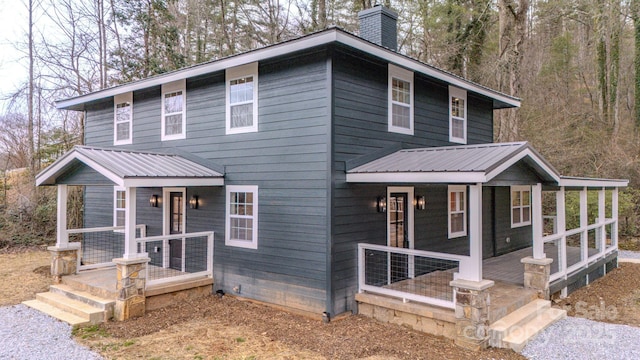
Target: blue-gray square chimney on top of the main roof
(379, 25)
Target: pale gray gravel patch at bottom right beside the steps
(579, 339)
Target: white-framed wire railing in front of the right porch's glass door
(408, 274)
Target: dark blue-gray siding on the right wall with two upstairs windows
(360, 128)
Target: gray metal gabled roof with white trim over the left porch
(129, 168)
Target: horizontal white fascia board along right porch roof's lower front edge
(418, 177)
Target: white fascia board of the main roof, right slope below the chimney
(422, 68)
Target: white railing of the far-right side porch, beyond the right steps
(575, 249)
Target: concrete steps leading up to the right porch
(516, 329)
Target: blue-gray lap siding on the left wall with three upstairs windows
(286, 158)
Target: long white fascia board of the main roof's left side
(197, 70)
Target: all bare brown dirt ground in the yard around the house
(230, 328)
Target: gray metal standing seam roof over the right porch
(464, 158)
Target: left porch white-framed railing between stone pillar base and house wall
(194, 258)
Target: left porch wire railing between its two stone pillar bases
(100, 245)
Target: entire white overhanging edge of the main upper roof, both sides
(332, 35)
